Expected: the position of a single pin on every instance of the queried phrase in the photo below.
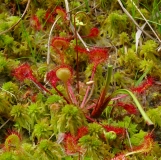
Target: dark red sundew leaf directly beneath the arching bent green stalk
(130, 108)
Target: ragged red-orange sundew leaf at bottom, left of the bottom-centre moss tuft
(71, 144)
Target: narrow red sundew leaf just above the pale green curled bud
(117, 130)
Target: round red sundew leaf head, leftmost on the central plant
(23, 72)
